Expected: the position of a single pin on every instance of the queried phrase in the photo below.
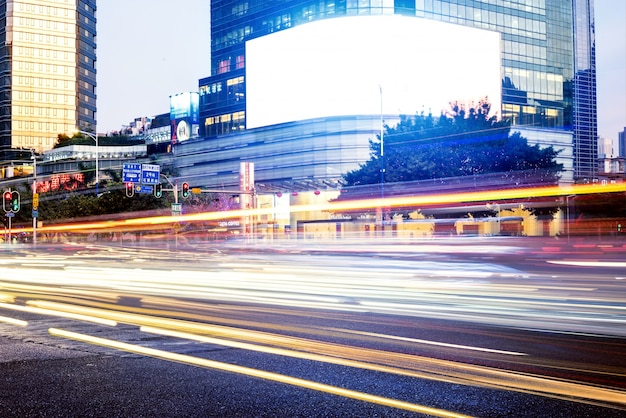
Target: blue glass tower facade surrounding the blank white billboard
(548, 59)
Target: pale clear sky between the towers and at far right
(146, 55)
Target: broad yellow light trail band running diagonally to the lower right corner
(406, 364)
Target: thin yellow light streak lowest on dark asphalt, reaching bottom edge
(294, 381)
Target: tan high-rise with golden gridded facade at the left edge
(47, 71)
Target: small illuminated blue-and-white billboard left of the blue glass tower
(184, 116)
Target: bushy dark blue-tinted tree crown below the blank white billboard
(459, 143)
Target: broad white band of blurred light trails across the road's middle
(414, 288)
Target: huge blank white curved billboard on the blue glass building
(354, 65)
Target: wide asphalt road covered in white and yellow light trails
(376, 332)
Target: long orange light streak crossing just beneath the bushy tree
(411, 201)
